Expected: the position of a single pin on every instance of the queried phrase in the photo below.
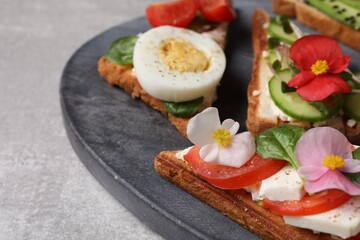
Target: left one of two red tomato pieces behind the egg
(177, 13)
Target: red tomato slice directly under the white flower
(254, 171)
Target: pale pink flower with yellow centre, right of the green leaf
(323, 153)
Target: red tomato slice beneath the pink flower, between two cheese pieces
(309, 204)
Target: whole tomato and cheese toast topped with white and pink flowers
(276, 185)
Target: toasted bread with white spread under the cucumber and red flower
(260, 114)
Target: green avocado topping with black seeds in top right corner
(345, 11)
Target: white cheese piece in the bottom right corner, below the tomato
(343, 221)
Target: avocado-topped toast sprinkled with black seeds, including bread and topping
(339, 19)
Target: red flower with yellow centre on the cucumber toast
(320, 61)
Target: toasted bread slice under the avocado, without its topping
(315, 19)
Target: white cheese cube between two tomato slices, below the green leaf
(284, 185)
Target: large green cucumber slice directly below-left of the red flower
(291, 103)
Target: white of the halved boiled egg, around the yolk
(156, 77)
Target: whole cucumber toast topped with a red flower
(295, 80)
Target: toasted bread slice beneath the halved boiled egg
(124, 77)
